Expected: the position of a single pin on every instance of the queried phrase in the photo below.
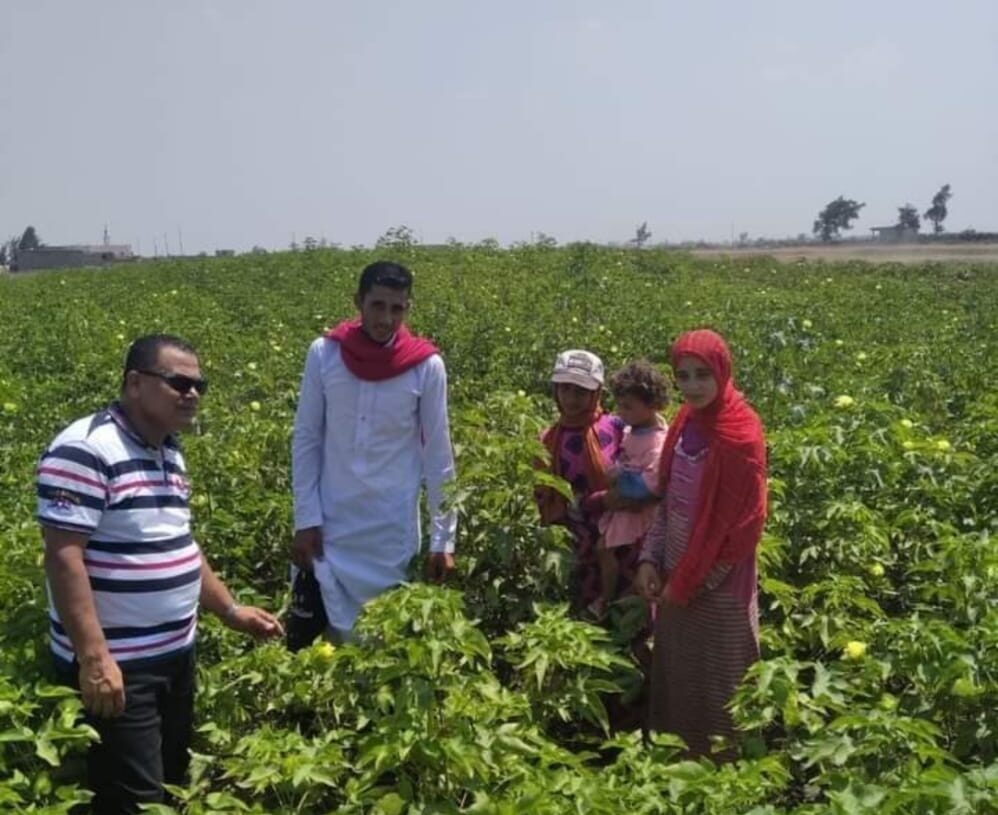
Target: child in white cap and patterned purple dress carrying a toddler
(583, 443)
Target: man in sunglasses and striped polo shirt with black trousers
(125, 577)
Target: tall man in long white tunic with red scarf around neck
(371, 428)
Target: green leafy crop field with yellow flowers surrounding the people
(879, 570)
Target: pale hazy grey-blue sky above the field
(235, 123)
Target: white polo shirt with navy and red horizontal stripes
(99, 478)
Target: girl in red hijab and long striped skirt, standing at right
(699, 559)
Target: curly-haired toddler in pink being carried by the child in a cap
(640, 392)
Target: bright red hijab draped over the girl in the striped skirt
(732, 505)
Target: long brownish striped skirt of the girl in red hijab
(701, 653)
